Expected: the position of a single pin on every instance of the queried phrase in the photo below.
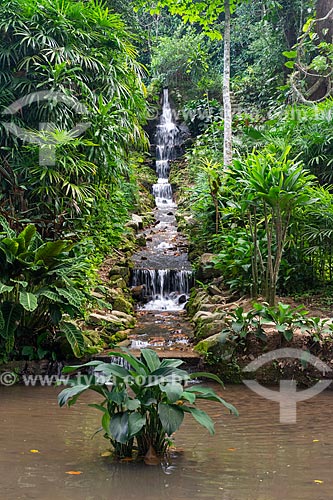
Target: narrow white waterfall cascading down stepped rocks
(163, 269)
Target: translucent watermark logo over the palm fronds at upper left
(45, 139)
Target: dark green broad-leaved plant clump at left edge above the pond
(42, 291)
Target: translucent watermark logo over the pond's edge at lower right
(287, 396)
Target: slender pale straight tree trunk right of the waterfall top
(227, 143)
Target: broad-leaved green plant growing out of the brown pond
(144, 403)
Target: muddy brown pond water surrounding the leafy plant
(252, 457)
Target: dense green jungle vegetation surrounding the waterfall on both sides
(78, 81)
